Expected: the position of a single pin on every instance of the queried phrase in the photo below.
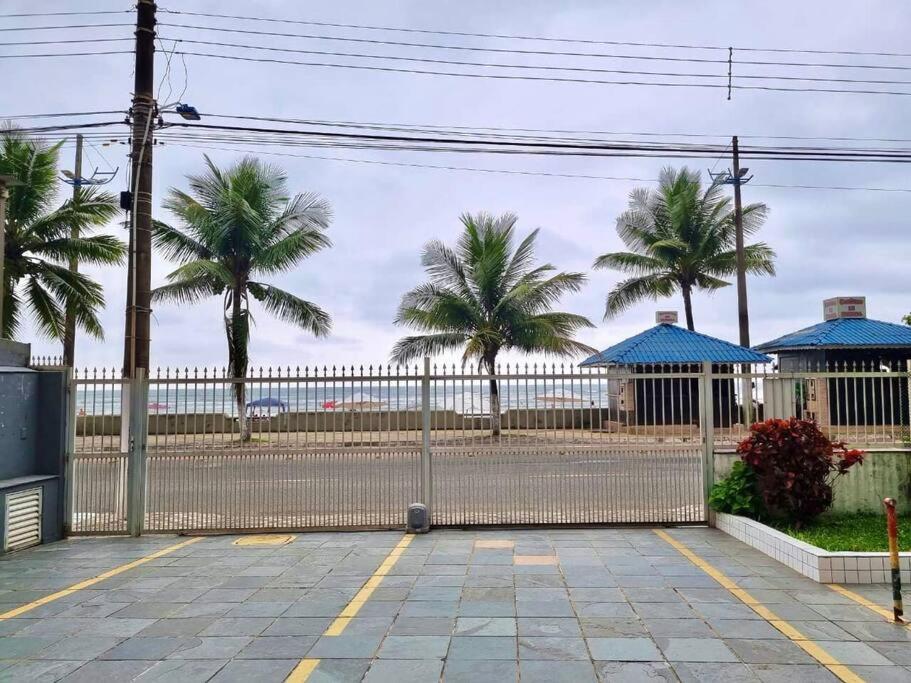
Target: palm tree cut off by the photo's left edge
(39, 245)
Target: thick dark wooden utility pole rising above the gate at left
(139, 278)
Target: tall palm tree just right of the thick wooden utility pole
(239, 224)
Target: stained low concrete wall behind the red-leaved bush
(883, 474)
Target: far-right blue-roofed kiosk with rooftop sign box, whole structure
(847, 341)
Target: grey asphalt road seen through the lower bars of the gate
(353, 488)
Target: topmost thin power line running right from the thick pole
(540, 38)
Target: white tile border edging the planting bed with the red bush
(818, 564)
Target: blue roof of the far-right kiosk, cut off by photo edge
(843, 333)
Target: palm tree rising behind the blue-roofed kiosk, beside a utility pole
(681, 238)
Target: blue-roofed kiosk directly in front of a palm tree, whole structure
(667, 348)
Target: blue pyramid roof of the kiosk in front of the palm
(666, 343)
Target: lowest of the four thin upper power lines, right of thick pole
(553, 79)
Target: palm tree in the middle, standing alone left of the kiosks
(486, 295)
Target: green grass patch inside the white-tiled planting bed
(861, 532)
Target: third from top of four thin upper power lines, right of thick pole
(425, 60)
